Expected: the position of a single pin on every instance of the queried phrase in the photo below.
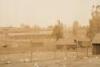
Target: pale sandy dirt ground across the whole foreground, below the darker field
(49, 59)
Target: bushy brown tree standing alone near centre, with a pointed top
(58, 31)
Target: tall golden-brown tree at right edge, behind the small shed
(94, 25)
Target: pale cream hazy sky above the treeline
(44, 12)
